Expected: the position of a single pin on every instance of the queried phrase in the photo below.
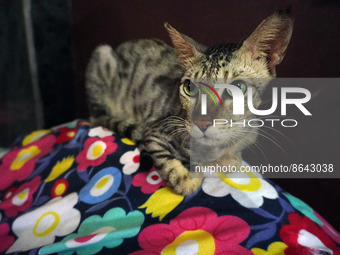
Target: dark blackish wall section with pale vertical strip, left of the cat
(36, 66)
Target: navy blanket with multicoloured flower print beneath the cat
(78, 189)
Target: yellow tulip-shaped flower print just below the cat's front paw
(162, 202)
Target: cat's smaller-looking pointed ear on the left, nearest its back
(186, 48)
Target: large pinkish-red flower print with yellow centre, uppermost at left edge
(19, 163)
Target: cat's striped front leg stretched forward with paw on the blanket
(169, 165)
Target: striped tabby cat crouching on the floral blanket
(148, 91)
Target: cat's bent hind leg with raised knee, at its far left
(102, 85)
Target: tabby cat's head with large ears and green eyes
(238, 64)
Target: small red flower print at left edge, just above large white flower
(18, 200)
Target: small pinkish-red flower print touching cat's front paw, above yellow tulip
(148, 181)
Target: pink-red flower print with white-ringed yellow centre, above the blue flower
(95, 151)
